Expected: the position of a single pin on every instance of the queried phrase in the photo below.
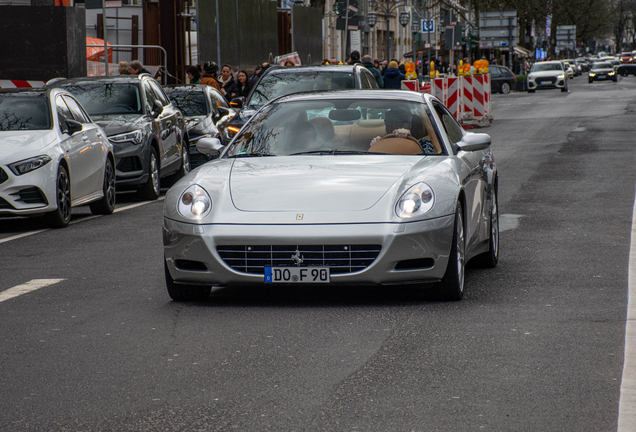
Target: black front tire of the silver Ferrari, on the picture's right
(451, 287)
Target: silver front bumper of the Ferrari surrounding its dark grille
(426, 241)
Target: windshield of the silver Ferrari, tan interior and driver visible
(339, 127)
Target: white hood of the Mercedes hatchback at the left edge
(18, 145)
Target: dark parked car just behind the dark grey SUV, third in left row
(206, 112)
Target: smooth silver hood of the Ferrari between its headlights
(314, 183)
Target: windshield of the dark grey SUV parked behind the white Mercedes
(107, 98)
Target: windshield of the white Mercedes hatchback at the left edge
(24, 113)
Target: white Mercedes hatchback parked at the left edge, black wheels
(52, 157)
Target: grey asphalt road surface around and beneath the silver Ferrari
(537, 343)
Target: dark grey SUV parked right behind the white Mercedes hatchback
(148, 132)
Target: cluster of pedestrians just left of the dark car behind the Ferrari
(226, 83)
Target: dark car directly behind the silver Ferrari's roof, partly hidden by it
(277, 82)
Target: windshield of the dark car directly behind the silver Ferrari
(280, 84)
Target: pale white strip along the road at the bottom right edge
(627, 401)
